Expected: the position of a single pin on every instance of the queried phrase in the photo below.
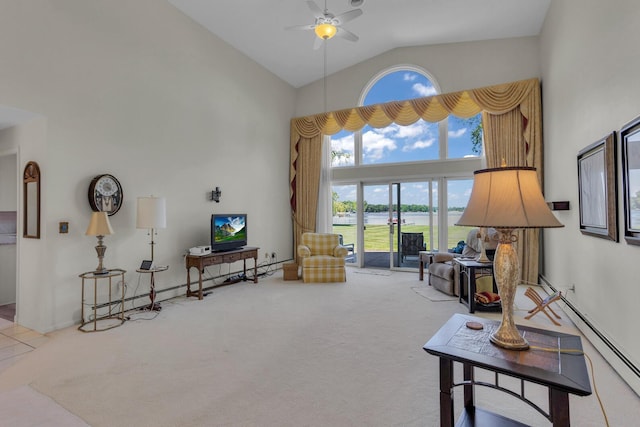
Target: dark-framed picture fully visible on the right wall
(598, 190)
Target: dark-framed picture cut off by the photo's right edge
(630, 141)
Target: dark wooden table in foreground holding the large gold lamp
(562, 372)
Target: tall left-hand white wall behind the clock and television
(137, 90)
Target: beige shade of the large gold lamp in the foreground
(507, 197)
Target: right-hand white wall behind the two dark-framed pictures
(590, 60)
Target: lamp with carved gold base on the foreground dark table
(507, 198)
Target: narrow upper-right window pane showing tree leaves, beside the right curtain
(465, 137)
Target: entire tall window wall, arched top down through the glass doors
(402, 173)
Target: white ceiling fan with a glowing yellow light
(327, 24)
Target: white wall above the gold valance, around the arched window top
(455, 66)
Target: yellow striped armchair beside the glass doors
(322, 258)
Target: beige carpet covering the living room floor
(279, 353)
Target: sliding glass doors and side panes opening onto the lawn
(386, 225)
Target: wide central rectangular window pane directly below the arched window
(396, 144)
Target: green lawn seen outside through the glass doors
(376, 237)
